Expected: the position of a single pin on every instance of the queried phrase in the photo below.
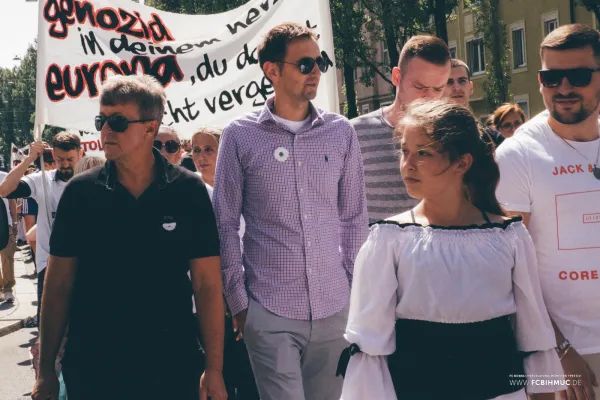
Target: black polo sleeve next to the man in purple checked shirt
(205, 237)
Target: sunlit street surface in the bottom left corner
(16, 374)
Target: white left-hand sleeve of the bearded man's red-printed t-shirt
(513, 189)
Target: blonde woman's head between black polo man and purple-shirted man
(205, 147)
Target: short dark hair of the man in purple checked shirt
(273, 48)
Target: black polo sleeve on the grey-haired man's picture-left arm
(66, 230)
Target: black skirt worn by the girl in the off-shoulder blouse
(470, 361)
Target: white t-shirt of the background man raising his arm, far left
(54, 188)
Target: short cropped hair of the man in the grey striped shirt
(430, 48)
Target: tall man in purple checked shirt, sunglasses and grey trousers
(295, 174)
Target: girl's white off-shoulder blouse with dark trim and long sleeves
(448, 275)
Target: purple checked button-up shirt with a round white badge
(303, 199)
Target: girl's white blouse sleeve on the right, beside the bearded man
(533, 328)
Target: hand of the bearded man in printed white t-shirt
(581, 375)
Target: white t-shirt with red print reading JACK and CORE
(542, 175)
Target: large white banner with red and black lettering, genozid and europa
(208, 64)
